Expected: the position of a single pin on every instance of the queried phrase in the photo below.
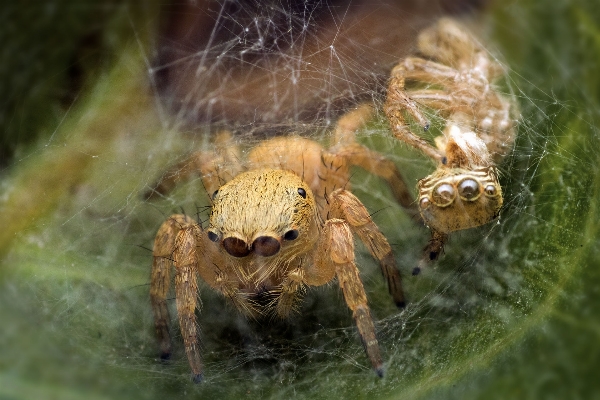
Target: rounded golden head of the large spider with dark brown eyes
(264, 212)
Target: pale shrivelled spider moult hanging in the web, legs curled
(464, 191)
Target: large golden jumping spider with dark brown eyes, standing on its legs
(283, 220)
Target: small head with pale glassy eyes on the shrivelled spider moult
(452, 199)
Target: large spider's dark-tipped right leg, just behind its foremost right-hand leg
(346, 206)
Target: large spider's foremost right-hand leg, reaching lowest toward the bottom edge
(336, 252)
